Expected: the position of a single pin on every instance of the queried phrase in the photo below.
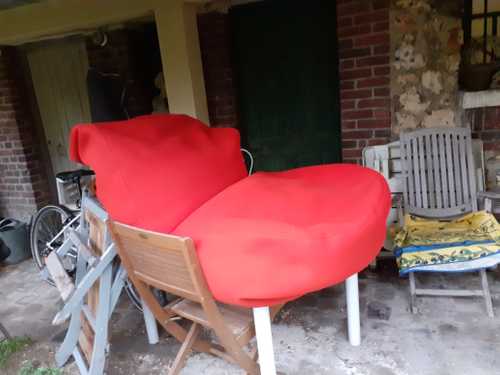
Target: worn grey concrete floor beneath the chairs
(448, 336)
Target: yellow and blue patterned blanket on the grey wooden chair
(471, 242)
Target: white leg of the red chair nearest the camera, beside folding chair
(262, 319)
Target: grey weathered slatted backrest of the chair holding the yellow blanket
(438, 172)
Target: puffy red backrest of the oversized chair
(153, 171)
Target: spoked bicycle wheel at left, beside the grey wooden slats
(47, 235)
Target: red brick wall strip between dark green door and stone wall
(364, 47)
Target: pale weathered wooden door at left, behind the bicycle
(59, 70)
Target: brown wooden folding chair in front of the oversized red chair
(170, 263)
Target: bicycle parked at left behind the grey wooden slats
(52, 224)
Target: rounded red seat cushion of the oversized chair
(273, 237)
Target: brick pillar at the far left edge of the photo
(23, 184)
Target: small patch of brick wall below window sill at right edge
(485, 124)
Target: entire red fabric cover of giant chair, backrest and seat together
(261, 240)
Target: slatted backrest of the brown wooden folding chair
(163, 261)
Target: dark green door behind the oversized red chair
(285, 56)
